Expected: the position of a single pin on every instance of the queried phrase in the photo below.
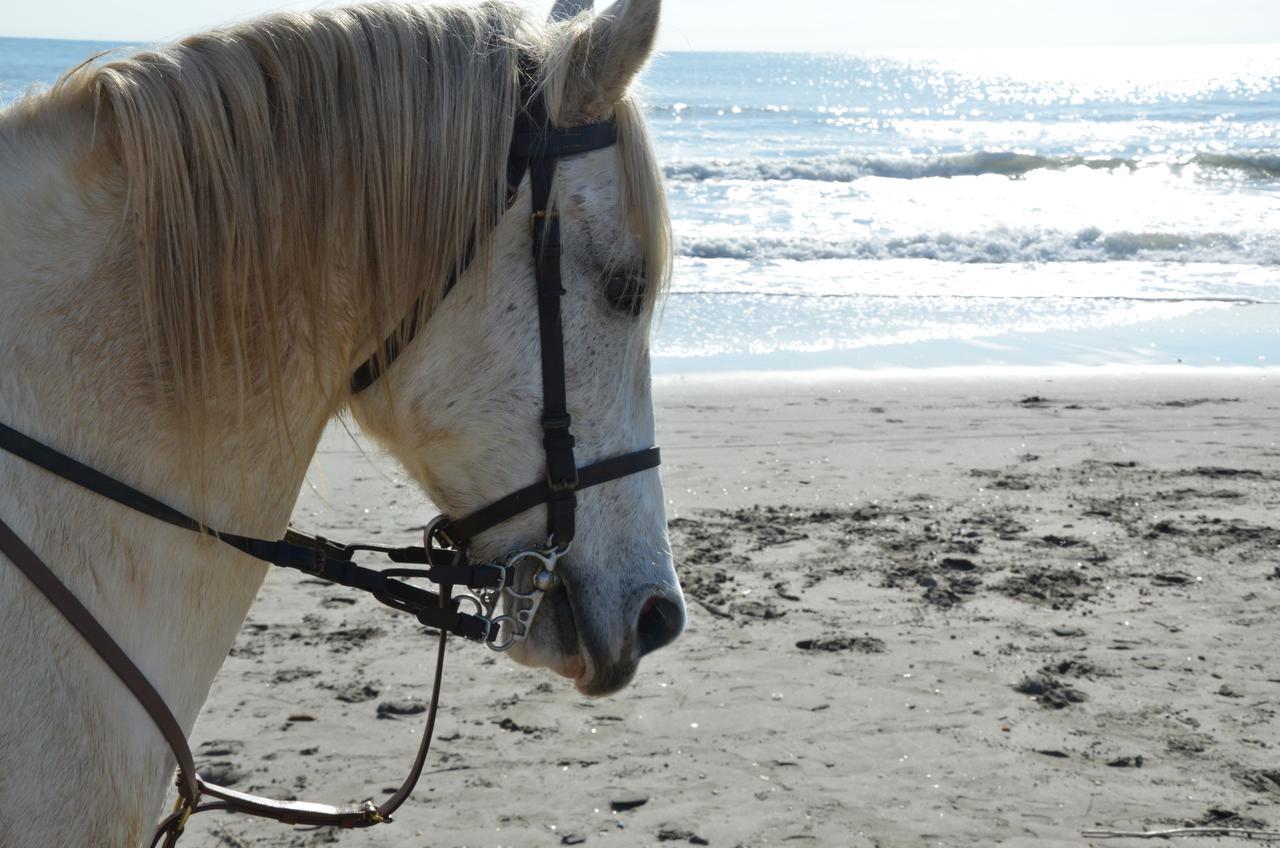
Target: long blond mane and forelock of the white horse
(266, 161)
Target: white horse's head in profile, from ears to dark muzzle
(463, 405)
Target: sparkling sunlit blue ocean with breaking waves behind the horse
(982, 208)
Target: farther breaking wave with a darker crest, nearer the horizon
(1256, 166)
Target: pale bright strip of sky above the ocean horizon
(824, 26)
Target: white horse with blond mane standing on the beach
(199, 244)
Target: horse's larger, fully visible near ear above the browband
(607, 57)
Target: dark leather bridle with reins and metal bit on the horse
(537, 145)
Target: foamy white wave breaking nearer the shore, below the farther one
(1003, 247)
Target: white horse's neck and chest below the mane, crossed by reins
(76, 376)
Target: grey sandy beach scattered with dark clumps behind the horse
(924, 609)
